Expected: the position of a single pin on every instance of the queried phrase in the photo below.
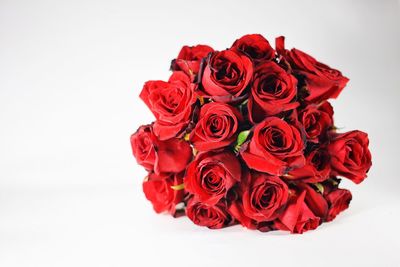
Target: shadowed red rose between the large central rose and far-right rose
(317, 167)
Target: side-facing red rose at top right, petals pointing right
(322, 81)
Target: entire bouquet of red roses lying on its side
(246, 135)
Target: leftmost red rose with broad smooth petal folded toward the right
(160, 156)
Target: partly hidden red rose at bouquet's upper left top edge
(189, 59)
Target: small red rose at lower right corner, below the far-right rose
(339, 200)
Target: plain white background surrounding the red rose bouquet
(70, 75)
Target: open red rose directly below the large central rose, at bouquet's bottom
(263, 198)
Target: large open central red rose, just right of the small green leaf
(275, 148)
